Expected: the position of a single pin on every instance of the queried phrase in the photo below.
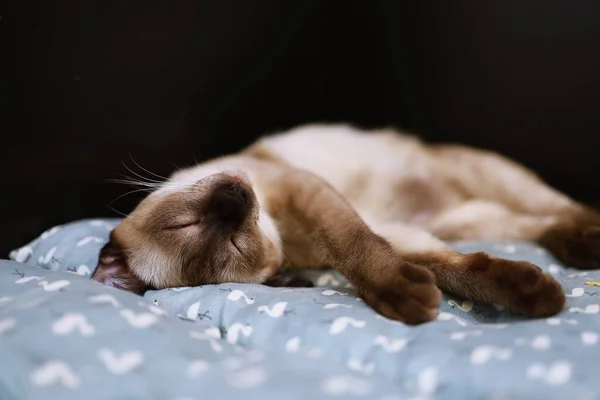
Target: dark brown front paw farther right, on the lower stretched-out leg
(523, 288)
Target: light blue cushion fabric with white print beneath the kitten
(62, 333)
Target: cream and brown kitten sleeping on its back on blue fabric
(376, 206)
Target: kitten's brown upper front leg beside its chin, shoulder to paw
(391, 285)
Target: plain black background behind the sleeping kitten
(86, 83)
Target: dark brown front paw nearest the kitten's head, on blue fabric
(406, 293)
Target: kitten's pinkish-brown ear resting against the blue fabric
(112, 270)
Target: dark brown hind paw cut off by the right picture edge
(575, 242)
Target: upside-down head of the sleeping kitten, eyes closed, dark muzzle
(189, 235)
